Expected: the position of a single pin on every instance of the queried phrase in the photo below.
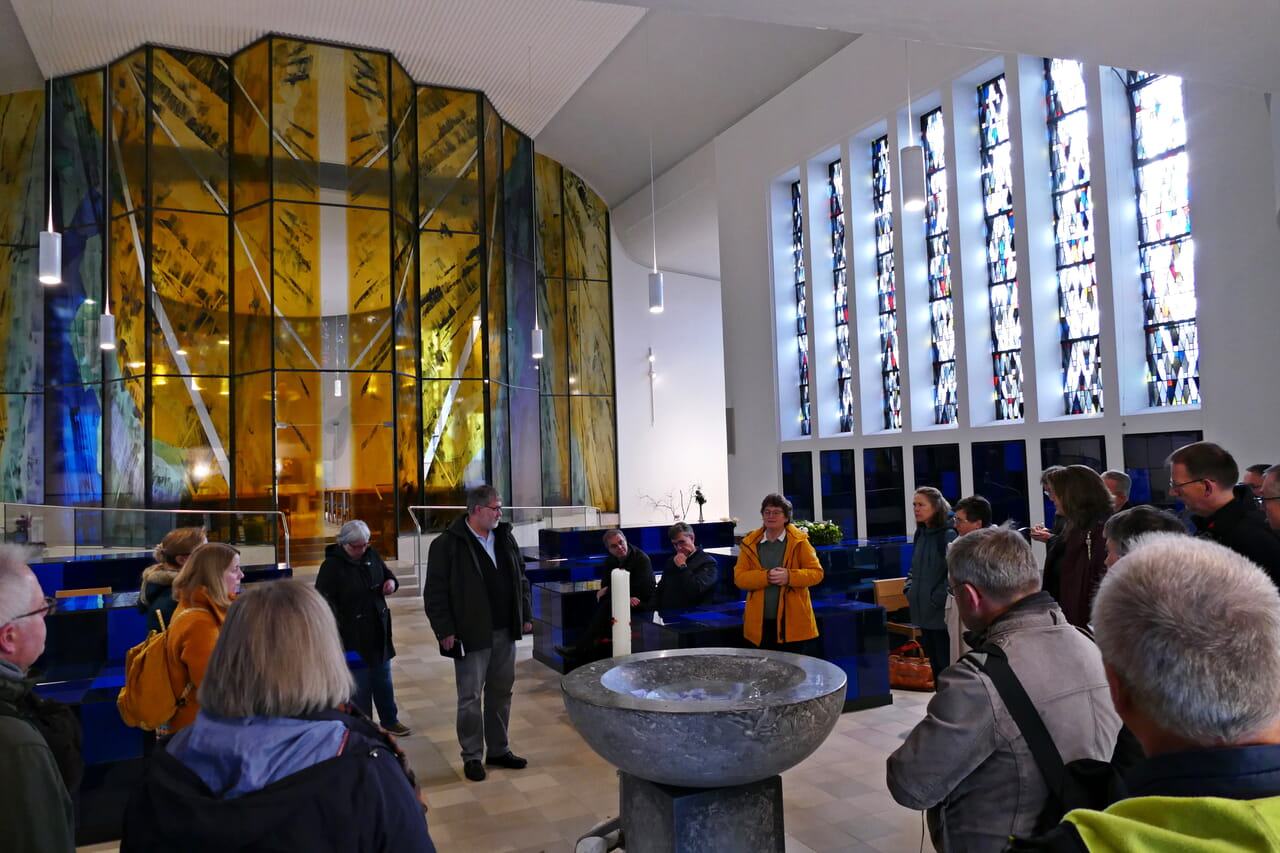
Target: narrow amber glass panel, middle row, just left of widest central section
(252, 320)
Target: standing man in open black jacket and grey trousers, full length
(477, 597)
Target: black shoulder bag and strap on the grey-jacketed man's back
(1085, 783)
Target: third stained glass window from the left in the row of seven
(886, 285)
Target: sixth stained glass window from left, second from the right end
(1073, 236)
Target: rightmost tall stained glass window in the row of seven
(1165, 248)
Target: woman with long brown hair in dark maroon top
(1078, 558)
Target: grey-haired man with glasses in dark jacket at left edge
(39, 815)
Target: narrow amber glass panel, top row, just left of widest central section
(252, 111)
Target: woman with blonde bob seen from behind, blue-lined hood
(272, 761)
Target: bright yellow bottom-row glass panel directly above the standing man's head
(454, 437)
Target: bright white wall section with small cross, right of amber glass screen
(685, 443)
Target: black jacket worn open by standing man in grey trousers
(455, 595)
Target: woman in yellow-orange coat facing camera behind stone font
(776, 567)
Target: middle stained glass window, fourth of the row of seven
(938, 241)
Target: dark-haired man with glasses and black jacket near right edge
(1204, 477)
